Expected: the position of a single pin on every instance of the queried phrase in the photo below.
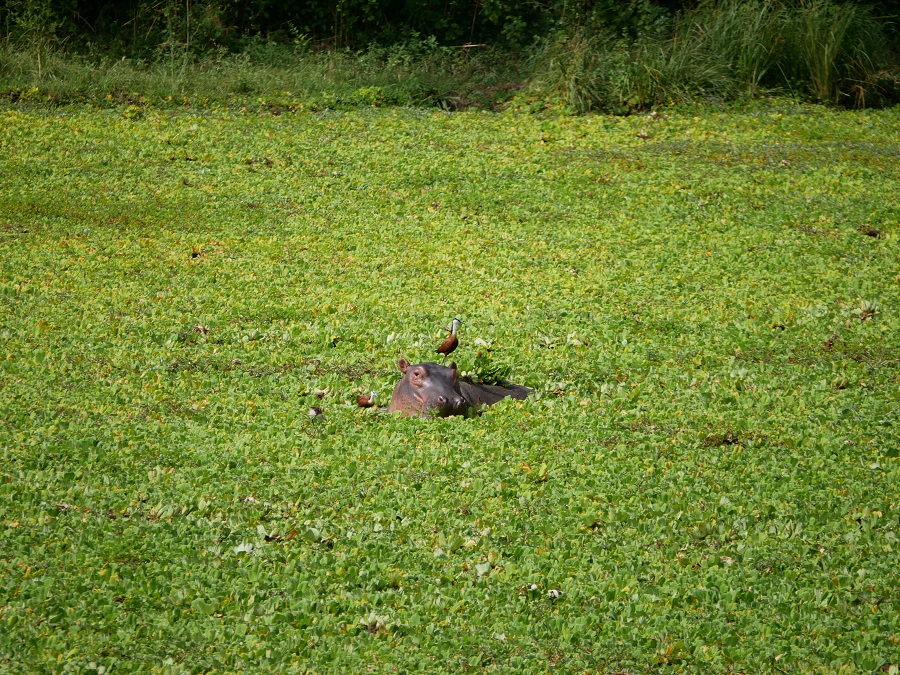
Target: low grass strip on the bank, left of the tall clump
(417, 74)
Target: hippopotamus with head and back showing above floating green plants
(431, 389)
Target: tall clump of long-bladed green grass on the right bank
(723, 50)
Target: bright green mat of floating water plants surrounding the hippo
(705, 480)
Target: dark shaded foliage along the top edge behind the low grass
(140, 25)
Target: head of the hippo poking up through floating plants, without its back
(428, 389)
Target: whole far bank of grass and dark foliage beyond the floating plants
(593, 55)
